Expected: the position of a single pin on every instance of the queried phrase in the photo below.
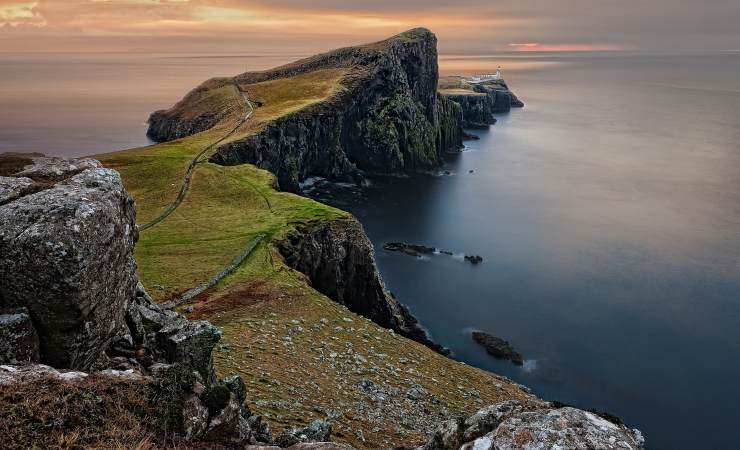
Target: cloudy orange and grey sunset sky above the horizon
(292, 26)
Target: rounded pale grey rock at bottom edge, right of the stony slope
(534, 425)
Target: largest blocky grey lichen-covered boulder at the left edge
(66, 256)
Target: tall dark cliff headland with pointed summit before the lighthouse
(384, 116)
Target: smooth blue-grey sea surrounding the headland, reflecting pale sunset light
(607, 212)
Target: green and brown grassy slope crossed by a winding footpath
(263, 301)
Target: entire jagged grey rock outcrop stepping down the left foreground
(71, 299)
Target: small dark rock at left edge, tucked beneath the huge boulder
(19, 342)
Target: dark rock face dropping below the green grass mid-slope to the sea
(339, 261)
